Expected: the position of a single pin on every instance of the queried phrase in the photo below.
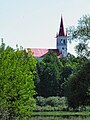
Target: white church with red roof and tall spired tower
(61, 45)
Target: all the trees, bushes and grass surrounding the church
(62, 85)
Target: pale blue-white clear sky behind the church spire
(34, 23)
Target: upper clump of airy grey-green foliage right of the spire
(82, 31)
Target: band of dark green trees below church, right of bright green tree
(68, 76)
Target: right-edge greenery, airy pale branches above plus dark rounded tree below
(78, 84)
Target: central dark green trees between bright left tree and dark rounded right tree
(53, 73)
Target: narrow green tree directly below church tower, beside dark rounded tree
(70, 65)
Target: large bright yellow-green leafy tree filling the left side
(17, 72)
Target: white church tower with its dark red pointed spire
(62, 40)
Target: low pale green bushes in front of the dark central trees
(50, 103)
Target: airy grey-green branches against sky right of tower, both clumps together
(82, 33)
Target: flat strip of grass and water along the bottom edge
(60, 116)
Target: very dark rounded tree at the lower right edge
(78, 87)
